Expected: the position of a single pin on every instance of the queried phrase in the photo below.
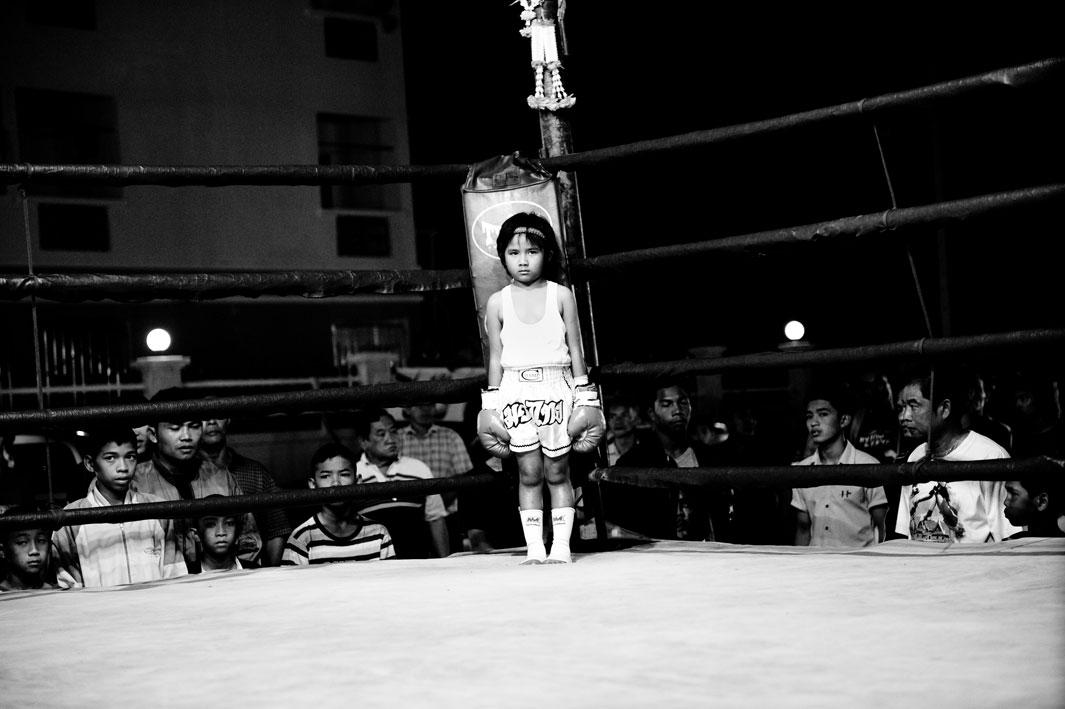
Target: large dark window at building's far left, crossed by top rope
(61, 128)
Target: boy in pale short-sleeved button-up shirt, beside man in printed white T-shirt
(837, 516)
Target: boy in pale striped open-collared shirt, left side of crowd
(101, 554)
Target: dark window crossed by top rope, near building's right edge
(356, 141)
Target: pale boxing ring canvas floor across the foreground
(689, 624)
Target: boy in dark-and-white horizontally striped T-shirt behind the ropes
(338, 533)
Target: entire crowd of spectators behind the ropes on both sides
(869, 420)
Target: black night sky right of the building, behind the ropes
(662, 73)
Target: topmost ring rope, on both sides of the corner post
(319, 175)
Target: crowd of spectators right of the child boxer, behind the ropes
(949, 415)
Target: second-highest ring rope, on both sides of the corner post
(320, 285)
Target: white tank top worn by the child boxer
(533, 344)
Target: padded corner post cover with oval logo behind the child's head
(496, 190)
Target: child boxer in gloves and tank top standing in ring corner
(539, 404)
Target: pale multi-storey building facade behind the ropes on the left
(249, 83)
